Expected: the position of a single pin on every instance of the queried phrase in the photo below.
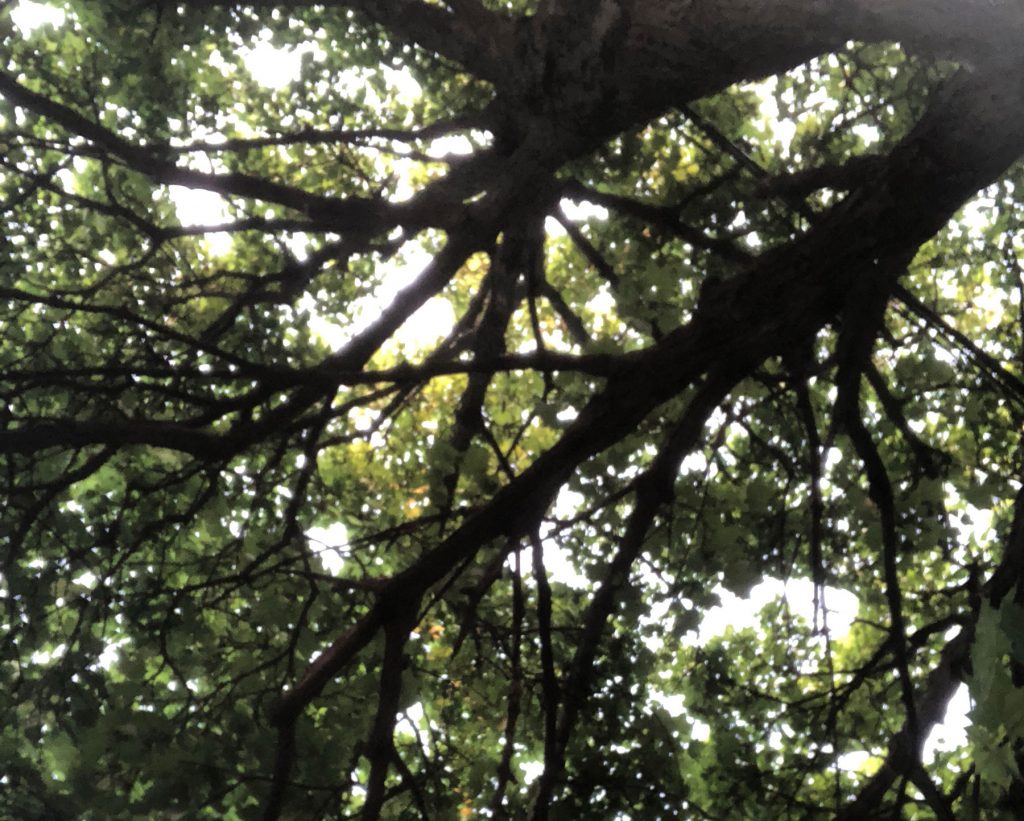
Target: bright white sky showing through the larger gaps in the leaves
(276, 68)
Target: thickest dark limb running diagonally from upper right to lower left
(781, 303)
